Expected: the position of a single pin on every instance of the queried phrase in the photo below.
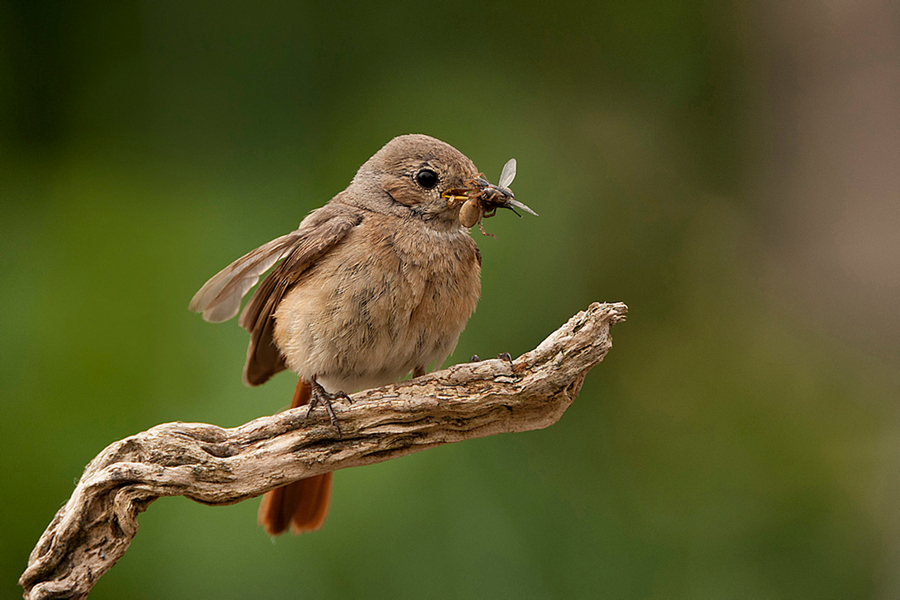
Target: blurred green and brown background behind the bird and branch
(729, 170)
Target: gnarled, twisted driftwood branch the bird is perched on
(217, 466)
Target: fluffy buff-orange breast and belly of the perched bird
(394, 295)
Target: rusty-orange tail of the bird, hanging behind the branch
(302, 505)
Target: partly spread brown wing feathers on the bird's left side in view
(220, 298)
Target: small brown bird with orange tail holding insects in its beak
(374, 285)
